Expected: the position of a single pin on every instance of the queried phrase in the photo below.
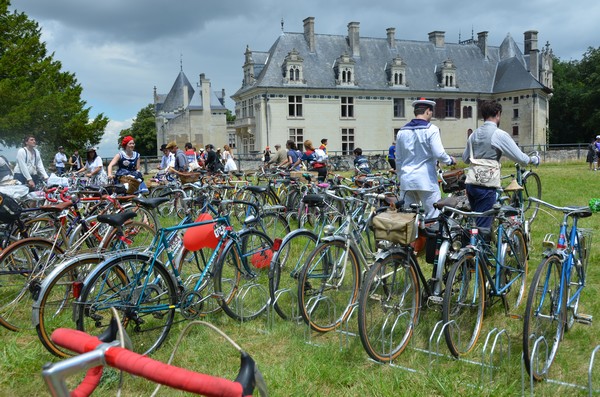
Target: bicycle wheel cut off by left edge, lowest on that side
(23, 266)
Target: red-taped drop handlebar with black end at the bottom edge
(155, 371)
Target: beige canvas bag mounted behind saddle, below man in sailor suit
(397, 227)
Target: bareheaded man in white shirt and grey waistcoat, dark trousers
(490, 142)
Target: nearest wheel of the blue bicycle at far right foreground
(543, 320)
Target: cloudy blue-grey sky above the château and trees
(120, 50)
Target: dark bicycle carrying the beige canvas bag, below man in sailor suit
(395, 289)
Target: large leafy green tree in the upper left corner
(36, 97)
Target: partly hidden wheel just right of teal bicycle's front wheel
(285, 268)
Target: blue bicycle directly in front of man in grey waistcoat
(471, 286)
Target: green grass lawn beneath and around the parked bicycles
(335, 364)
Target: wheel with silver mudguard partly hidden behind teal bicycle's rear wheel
(54, 307)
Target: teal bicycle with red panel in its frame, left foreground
(147, 293)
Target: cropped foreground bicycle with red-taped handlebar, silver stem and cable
(95, 353)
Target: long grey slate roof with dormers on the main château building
(502, 70)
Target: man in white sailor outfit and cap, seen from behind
(418, 149)
